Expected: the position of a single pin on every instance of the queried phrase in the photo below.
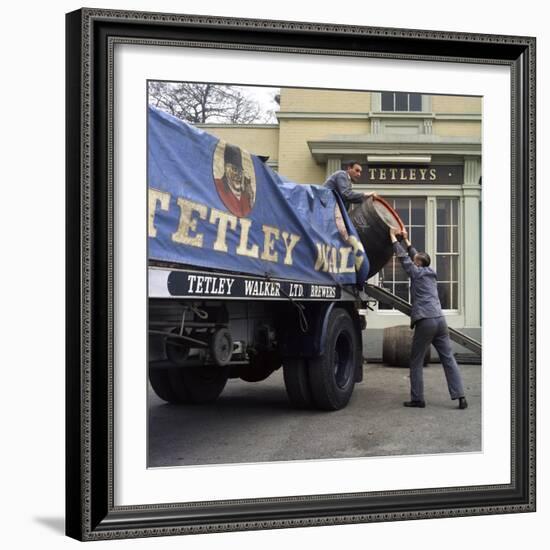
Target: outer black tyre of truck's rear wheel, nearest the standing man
(331, 374)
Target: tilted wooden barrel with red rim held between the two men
(373, 219)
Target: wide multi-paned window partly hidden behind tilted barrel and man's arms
(413, 215)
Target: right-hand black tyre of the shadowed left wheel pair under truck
(198, 384)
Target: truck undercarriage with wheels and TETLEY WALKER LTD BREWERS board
(206, 327)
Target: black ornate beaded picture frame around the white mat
(91, 514)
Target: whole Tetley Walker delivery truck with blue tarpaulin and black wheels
(248, 273)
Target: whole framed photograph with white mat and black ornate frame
(235, 329)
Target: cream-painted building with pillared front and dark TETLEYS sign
(420, 152)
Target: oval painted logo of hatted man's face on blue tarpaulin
(235, 178)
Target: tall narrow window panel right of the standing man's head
(447, 252)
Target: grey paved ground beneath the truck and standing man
(253, 422)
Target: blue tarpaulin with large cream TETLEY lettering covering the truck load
(214, 205)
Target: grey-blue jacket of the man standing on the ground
(424, 296)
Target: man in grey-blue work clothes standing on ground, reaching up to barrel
(428, 322)
